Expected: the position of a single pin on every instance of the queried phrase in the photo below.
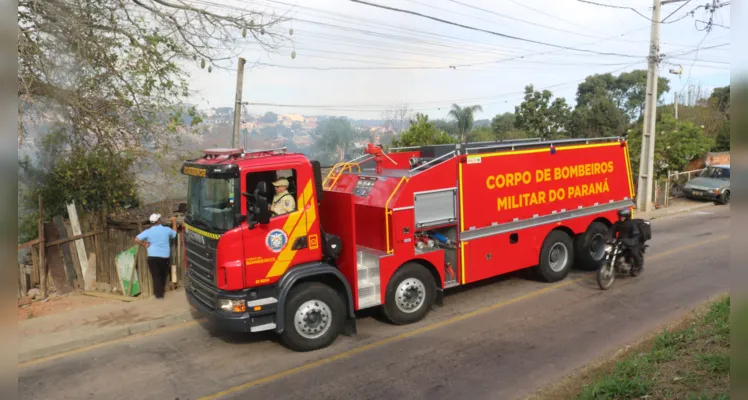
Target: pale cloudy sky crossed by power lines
(359, 61)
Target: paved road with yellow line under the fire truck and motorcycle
(498, 340)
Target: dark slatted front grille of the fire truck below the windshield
(201, 270)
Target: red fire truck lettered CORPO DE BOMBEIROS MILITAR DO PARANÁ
(390, 230)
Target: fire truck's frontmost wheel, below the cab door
(314, 315)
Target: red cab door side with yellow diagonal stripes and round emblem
(288, 239)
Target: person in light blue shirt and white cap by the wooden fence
(156, 240)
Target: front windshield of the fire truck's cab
(211, 202)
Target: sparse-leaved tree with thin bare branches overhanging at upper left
(113, 71)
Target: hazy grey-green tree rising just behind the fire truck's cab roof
(333, 138)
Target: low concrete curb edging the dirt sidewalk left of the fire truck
(102, 337)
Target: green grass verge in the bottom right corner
(690, 361)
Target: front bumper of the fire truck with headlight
(261, 304)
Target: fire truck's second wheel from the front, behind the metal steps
(410, 294)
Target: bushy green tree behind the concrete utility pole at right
(678, 142)
